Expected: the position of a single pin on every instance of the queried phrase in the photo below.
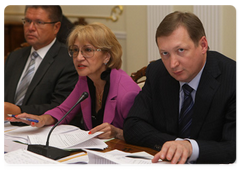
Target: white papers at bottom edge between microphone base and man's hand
(117, 157)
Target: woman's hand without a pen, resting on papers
(109, 131)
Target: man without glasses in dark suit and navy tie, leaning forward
(209, 109)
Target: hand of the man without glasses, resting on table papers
(175, 151)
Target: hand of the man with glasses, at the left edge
(9, 108)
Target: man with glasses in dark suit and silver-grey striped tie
(53, 76)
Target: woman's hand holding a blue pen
(42, 120)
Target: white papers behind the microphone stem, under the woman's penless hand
(72, 140)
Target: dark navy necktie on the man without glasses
(185, 119)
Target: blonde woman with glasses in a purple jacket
(96, 55)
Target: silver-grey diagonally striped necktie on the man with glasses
(27, 78)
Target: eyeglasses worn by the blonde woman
(86, 51)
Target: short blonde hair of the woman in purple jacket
(101, 37)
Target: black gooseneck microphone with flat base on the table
(53, 152)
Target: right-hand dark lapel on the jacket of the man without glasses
(208, 85)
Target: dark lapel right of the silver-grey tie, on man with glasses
(43, 67)
